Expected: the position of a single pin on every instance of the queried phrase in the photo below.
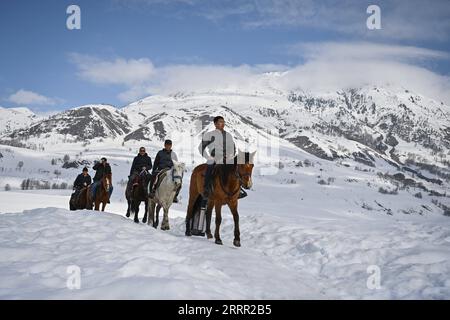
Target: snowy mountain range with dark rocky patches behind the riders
(372, 126)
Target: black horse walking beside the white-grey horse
(137, 194)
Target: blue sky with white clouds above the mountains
(130, 49)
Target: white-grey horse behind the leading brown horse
(169, 183)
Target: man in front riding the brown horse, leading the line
(217, 146)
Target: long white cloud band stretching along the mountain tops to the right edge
(327, 66)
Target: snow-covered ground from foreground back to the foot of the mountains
(300, 238)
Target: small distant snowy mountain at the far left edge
(15, 118)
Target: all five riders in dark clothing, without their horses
(217, 147)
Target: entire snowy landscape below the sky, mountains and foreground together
(361, 181)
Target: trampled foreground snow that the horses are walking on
(317, 253)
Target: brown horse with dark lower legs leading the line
(227, 181)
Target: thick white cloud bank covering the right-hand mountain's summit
(333, 66)
